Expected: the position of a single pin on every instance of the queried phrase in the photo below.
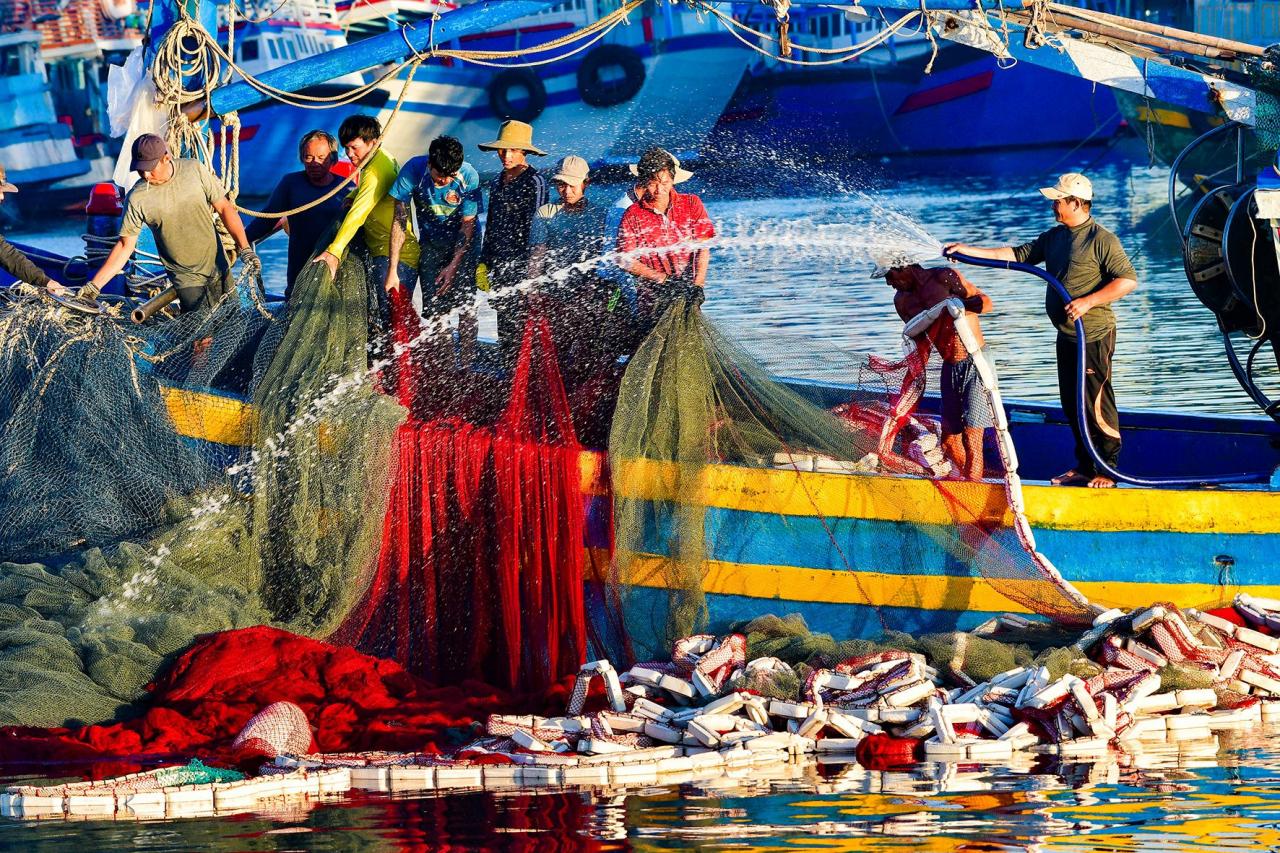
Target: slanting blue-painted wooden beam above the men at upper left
(391, 48)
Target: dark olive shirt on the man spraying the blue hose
(1085, 259)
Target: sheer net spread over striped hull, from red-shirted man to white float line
(720, 475)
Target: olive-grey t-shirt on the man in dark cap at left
(181, 217)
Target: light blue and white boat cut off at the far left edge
(36, 148)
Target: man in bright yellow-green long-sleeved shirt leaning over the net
(372, 213)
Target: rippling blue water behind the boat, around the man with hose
(792, 276)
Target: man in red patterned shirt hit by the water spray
(659, 240)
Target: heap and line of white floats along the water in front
(706, 715)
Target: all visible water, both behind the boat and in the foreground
(792, 281)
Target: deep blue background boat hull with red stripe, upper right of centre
(884, 103)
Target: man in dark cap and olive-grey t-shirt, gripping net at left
(173, 200)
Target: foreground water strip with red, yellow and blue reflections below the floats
(1218, 793)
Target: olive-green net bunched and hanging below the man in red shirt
(691, 400)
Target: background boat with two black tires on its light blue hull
(664, 81)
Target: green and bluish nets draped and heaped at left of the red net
(126, 535)
